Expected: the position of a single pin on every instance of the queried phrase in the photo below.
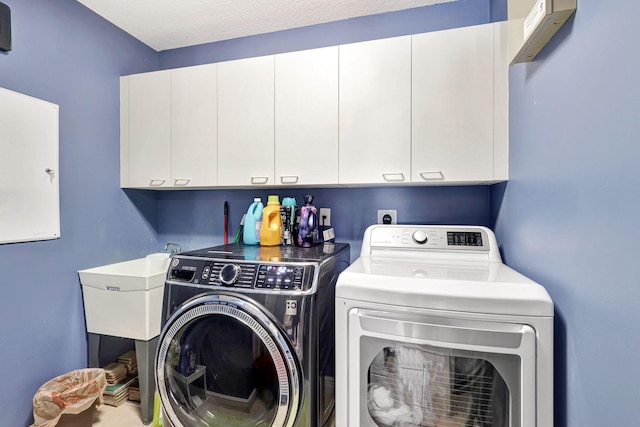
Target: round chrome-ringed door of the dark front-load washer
(222, 360)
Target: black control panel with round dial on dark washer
(235, 274)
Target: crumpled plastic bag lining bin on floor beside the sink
(70, 393)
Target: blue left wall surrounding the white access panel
(65, 54)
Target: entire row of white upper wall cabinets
(424, 109)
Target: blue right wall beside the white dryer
(569, 215)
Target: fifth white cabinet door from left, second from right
(375, 111)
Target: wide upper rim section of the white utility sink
(138, 274)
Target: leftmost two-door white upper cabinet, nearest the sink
(169, 128)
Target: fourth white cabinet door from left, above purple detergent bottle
(306, 117)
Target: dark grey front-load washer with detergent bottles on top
(248, 336)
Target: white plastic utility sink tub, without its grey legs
(125, 299)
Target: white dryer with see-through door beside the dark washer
(433, 330)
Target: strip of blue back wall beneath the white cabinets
(195, 218)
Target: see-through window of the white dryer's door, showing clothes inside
(411, 386)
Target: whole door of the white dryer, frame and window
(426, 371)
